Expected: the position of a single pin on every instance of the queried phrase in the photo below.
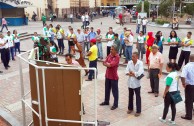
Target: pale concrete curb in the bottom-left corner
(9, 118)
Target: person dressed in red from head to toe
(149, 44)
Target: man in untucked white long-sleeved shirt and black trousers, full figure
(134, 70)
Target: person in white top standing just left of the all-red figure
(141, 44)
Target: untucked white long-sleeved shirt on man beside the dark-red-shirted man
(138, 69)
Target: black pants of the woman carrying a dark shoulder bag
(169, 102)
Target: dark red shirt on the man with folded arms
(111, 72)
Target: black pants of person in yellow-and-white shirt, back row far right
(184, 56)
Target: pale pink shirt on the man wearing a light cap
(155, 60)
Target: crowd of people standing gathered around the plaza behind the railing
(88, 43)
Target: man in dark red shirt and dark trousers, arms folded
(111, 77)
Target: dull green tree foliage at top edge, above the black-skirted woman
(164, 8)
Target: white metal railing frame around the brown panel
(47, 119)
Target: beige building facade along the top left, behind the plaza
(61, 7)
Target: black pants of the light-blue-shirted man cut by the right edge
(189, 98)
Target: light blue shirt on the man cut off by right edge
(188, 73)
